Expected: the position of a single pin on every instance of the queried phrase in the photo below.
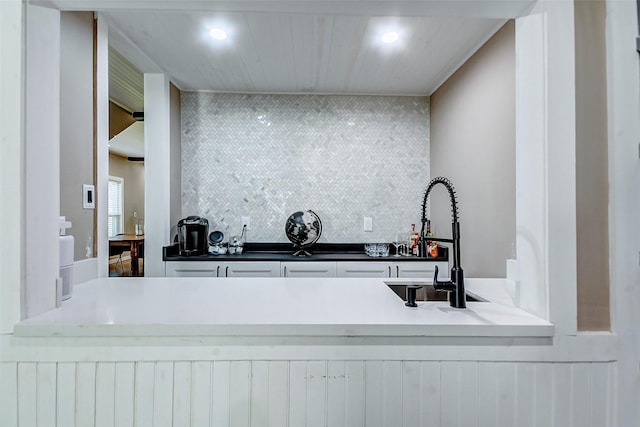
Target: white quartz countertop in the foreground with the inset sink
(277, 307)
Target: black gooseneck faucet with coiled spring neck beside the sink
(455, 286)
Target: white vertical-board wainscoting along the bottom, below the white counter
(307, 393)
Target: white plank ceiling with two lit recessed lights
(304, 53)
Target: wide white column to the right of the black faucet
(545, 163)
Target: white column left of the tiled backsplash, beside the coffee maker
(157, 149)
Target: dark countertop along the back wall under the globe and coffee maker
(254, 251)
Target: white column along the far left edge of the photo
(11, 180)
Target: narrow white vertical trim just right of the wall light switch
(102, 145)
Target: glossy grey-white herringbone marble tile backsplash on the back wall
(267, 156)
